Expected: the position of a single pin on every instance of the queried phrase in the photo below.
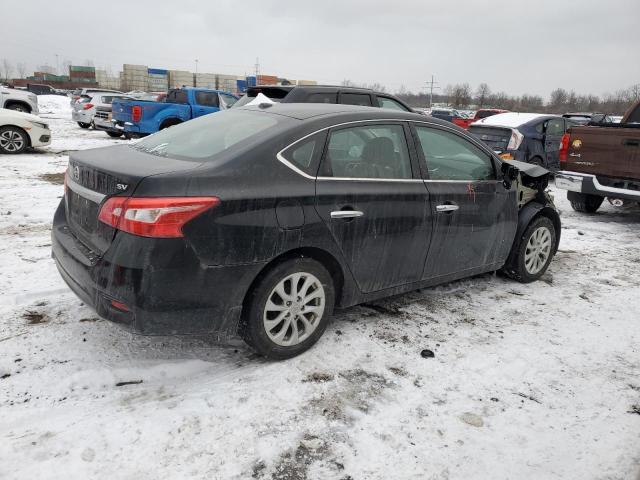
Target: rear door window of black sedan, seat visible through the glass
(373, 151)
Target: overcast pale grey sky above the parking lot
(591, 46)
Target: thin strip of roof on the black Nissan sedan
(304, 111)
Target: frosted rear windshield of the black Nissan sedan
(209, 135)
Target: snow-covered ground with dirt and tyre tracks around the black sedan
(535, 381)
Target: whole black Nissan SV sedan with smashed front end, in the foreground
(256, 222)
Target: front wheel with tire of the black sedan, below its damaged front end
(534, 251)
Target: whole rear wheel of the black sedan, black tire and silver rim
(292, 330)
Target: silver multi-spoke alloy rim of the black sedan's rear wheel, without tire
(294, 309)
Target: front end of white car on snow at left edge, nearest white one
(19, 131)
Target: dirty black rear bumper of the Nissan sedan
(175, 295)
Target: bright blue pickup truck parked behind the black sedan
(137, 118)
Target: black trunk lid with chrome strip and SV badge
(95, 175)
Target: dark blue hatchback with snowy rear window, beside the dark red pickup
(526, 137)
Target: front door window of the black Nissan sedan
(450, 157)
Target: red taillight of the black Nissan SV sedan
(154, 217)
